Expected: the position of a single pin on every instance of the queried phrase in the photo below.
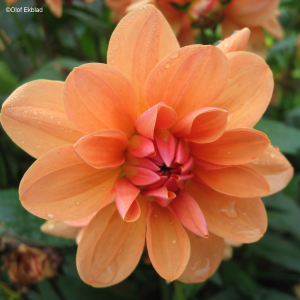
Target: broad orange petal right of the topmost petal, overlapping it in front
(188, 79)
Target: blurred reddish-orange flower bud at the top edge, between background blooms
(205, 13)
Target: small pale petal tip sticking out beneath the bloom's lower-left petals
(60, 229)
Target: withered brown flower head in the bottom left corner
(28, 265)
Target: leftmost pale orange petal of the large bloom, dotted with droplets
(34, 117)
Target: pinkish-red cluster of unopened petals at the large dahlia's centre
(159, 167)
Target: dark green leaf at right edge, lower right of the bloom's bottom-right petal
(278, 250)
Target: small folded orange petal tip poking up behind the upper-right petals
(235, 42)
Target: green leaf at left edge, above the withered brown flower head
(23, 223)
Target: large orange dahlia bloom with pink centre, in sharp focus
(166, 132)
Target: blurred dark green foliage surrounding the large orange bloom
(34, 46)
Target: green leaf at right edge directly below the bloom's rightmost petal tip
(283, 214)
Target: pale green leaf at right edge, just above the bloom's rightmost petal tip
(285, 137)
